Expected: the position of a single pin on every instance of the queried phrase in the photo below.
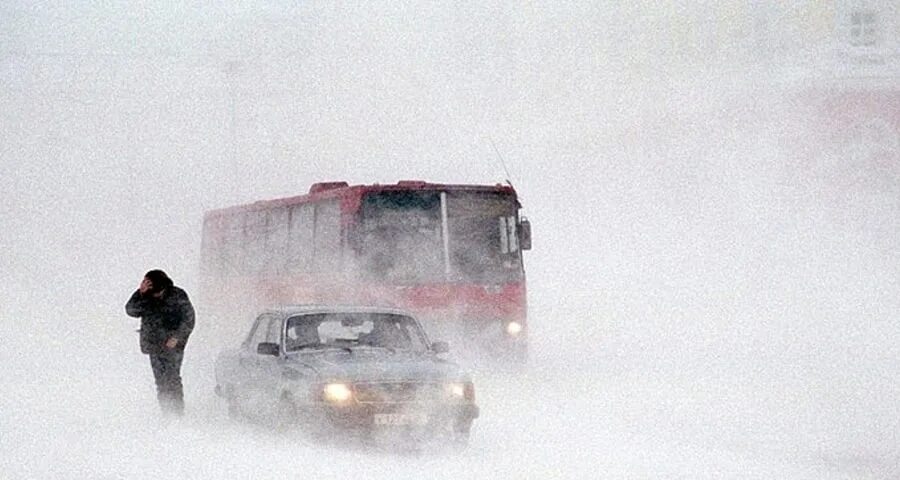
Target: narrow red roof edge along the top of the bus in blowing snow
(330, 190)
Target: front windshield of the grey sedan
(354, 329)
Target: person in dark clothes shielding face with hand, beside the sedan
(167, 319)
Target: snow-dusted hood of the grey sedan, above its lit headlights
(373, 366)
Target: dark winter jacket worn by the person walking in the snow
(162, 318)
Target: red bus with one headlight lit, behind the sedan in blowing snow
(452, 254)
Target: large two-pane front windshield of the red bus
(401, 237)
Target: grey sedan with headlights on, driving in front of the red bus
(363, 371)
